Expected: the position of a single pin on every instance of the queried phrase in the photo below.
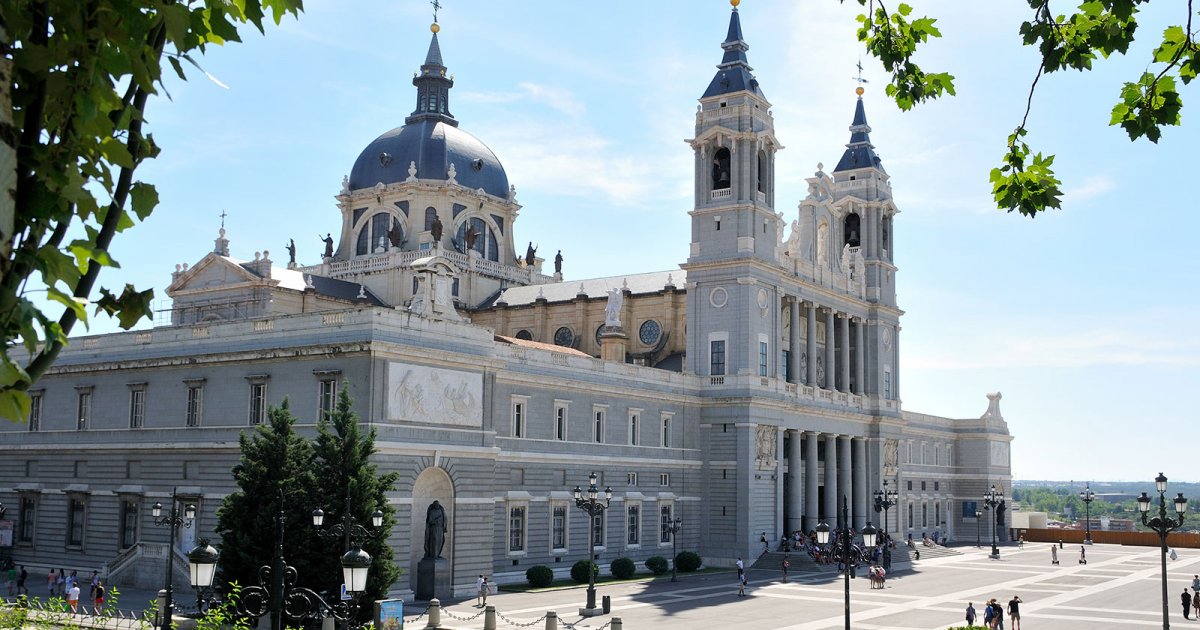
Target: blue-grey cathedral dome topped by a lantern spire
(431, 139)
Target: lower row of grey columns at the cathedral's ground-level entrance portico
(845, 473)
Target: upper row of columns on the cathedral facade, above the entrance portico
(836, 363)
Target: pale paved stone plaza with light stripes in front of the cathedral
(1120, 587)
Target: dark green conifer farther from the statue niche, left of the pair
(274, 460)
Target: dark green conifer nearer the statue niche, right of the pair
(344, 469)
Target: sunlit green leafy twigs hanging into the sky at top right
(1097, 29)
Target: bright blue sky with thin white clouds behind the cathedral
(1082, 319)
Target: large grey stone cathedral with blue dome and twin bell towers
(745, 392)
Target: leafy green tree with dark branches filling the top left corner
(75, 81)
